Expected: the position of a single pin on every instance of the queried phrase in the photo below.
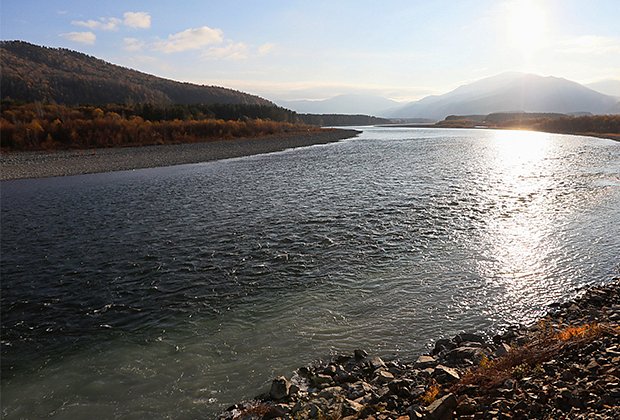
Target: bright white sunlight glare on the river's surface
(518, 230)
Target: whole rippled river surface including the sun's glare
(175, 292)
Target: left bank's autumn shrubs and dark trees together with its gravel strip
(43, 140)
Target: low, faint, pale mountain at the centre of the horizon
(343, 104)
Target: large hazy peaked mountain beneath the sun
(510, 92)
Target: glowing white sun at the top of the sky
(526, 25)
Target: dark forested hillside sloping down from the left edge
(34, 73)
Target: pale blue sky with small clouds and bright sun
(316, 49)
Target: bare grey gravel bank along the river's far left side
(16, 165)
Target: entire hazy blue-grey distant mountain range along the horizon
(507, 92)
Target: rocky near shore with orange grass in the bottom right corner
(567, 366)
